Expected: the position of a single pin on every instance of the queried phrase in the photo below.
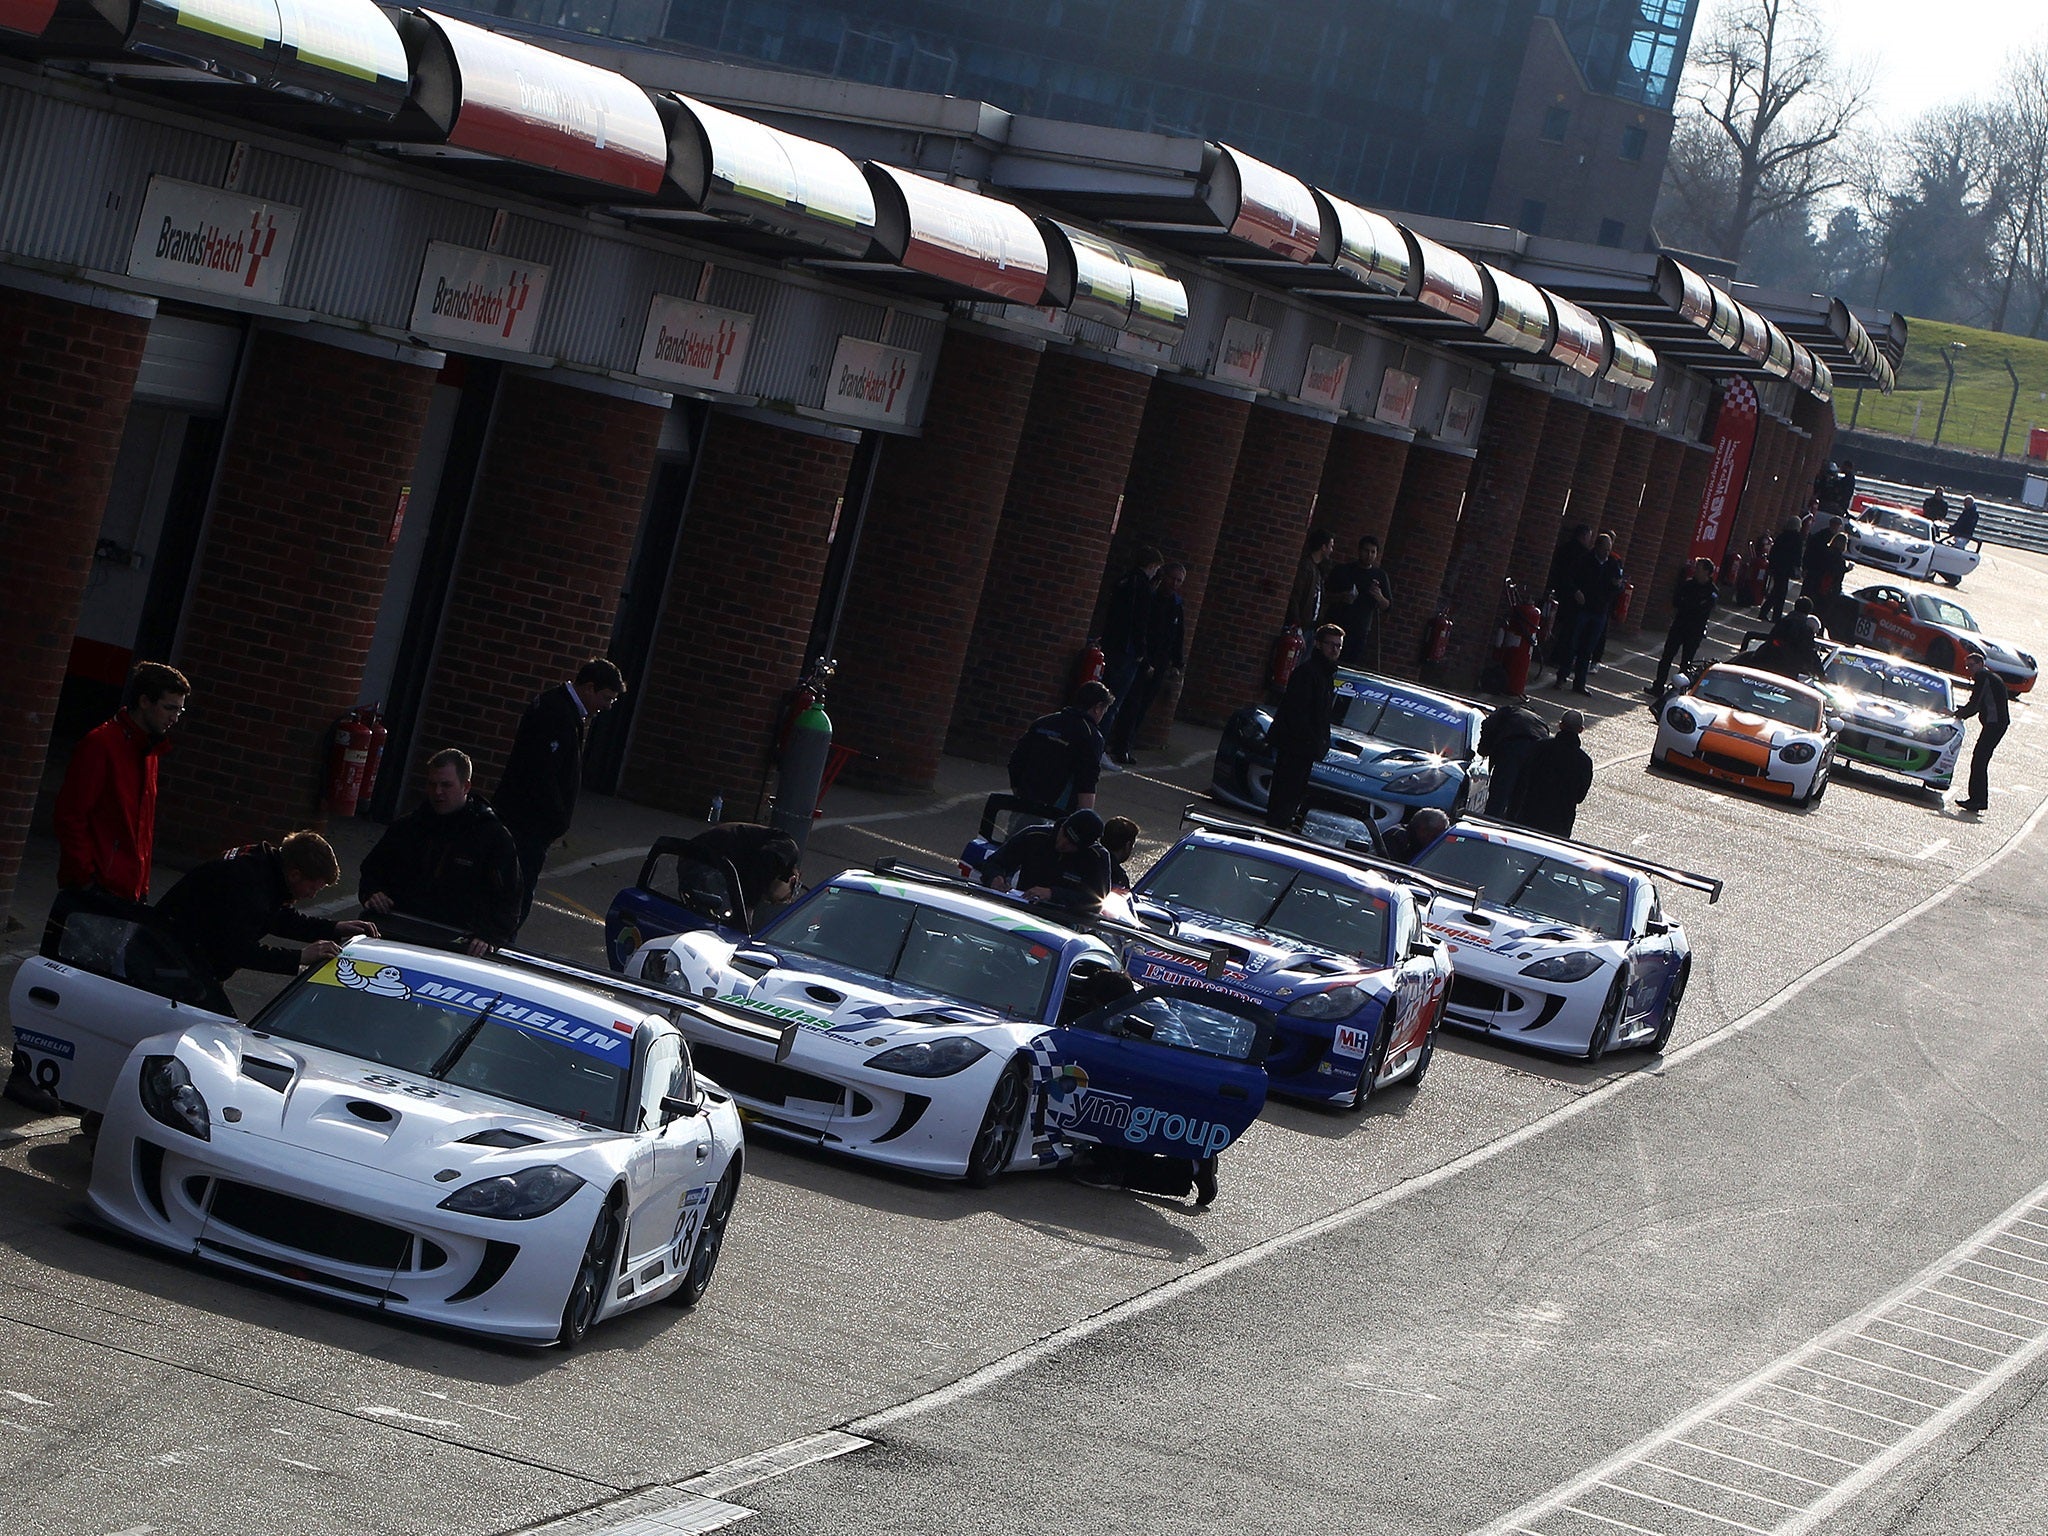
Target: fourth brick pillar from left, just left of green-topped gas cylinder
(738, 615)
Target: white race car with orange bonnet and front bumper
(1750, 728)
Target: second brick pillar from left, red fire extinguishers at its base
(290, 583)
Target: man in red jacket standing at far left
(108, 806)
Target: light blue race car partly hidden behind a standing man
(1396, 746)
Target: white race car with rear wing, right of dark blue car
(1568, 947)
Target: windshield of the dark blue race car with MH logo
(1310, 908)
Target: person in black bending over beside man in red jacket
(224, 908)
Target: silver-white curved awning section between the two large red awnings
(759, 189)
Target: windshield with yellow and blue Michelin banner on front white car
(474, 1039)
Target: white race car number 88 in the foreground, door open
(458, 1142)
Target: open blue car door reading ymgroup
(1177, 1072)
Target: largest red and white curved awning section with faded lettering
(517, 116)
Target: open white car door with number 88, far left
(110, 976)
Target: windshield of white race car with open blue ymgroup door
(921, 949)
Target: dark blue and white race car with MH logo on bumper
(1330, 943)
